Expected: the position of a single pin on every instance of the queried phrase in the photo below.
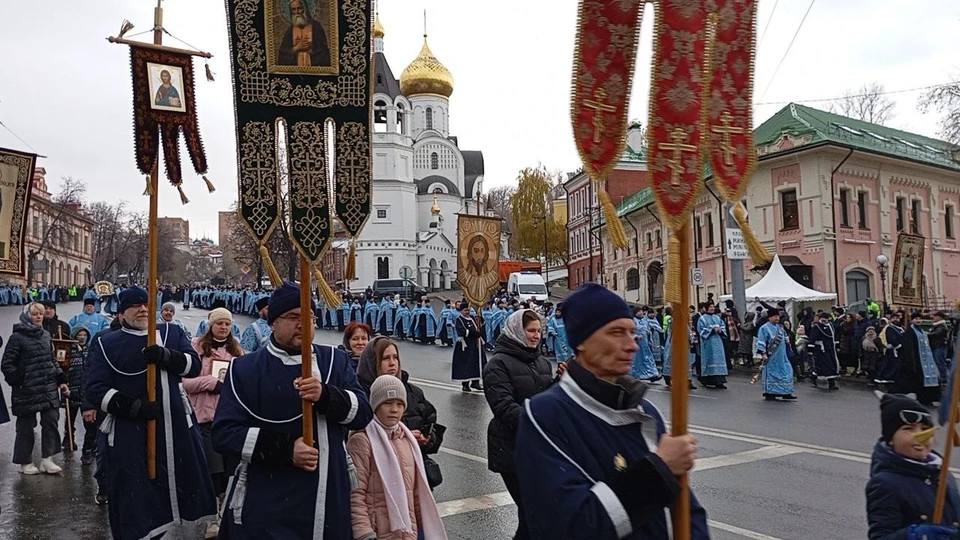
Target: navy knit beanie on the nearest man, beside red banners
(590, 308)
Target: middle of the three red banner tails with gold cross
(678, 92)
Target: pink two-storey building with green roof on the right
(829, 195)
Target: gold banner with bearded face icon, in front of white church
(478, 256)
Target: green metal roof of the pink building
(816, 127)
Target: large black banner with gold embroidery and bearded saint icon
(304, 68)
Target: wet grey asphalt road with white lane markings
(767, 470)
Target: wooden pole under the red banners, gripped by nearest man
(679, 385)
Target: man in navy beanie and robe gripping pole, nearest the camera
(597, 461)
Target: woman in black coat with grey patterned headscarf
(516, 372)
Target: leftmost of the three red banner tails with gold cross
(606, 47)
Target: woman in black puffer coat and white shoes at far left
(30, 368)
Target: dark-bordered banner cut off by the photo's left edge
(16, 182)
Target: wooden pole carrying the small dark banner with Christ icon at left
(152, 276)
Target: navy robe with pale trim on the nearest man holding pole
(570, 442)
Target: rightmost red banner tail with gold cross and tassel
(733, 157)
